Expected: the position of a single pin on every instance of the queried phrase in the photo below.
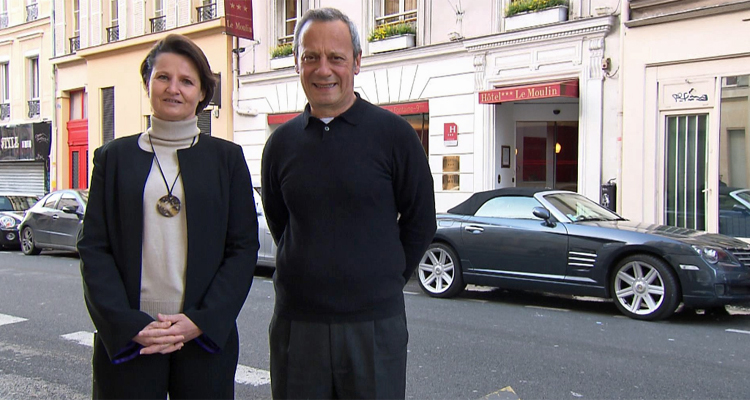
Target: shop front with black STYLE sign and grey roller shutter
(24, 158)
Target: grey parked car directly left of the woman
(54, 222)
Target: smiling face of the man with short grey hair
(327, 66)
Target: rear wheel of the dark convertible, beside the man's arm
(440, 271)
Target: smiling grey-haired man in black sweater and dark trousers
(349, 199)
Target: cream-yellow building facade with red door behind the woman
(99, 94)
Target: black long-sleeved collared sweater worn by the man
(351, 207)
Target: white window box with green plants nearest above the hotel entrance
(526, 13)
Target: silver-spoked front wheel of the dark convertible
(645, 288)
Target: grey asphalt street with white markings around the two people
(484, 344)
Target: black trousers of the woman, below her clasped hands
(188, 373)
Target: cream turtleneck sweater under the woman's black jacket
(164, 258)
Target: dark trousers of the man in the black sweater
(354, 360)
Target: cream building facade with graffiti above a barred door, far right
(685, 150)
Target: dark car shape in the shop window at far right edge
(734, 211)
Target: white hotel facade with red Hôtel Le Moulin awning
(497, 102)
